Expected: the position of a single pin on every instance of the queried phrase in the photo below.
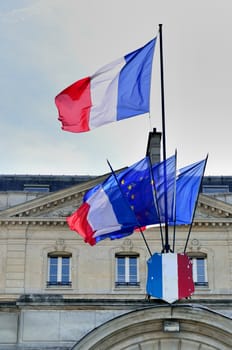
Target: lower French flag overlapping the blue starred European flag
(105, 213)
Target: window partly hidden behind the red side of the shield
(200, 270)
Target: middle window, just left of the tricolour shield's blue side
(126, 270)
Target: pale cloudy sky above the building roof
(46, 45)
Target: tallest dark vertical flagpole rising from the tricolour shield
(167, 246)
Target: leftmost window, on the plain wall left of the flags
(59, 270)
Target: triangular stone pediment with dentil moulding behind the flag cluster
(219, 213)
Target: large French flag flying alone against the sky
(117, 91)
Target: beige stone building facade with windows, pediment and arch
(56, 292)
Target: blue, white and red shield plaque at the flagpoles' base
(169, 276)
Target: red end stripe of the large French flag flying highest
(74, 105)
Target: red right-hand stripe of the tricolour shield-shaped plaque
(185, 279)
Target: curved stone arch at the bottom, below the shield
(200, 329)
